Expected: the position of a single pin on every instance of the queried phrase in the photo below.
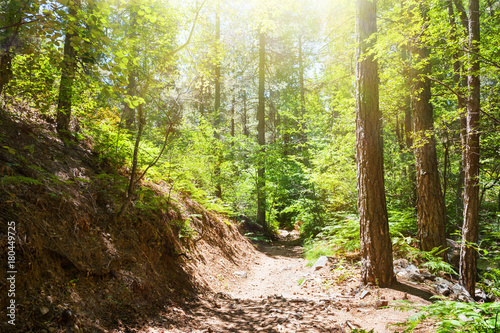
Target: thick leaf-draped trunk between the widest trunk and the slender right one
(431, 215)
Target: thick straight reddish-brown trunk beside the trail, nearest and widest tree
(376, 247)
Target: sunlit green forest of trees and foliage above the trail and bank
(368, 127)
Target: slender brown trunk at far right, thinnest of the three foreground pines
(470, 230)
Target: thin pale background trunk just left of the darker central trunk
(217, 111)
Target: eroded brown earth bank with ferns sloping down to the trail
(77, 267)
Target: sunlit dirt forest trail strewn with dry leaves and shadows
(278, 292)
